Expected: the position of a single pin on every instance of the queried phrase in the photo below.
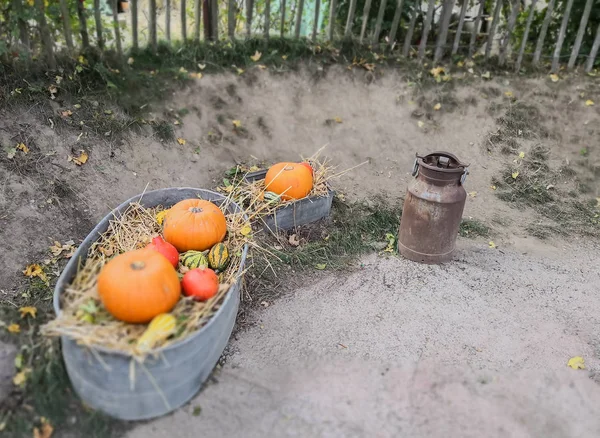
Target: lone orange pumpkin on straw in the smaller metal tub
(290, 180)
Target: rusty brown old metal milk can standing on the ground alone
(433, 208)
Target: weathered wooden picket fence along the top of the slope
(428, 29)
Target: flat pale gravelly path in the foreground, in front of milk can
(475, 348)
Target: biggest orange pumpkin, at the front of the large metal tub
(138, 285)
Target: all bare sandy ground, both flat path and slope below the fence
(475, 348)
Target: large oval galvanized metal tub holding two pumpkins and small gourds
(112, 381)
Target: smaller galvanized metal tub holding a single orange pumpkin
(301, 212)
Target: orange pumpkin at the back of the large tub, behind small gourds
(194, 224)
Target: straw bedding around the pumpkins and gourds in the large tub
(83, 317)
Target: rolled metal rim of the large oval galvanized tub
(94, 235)
